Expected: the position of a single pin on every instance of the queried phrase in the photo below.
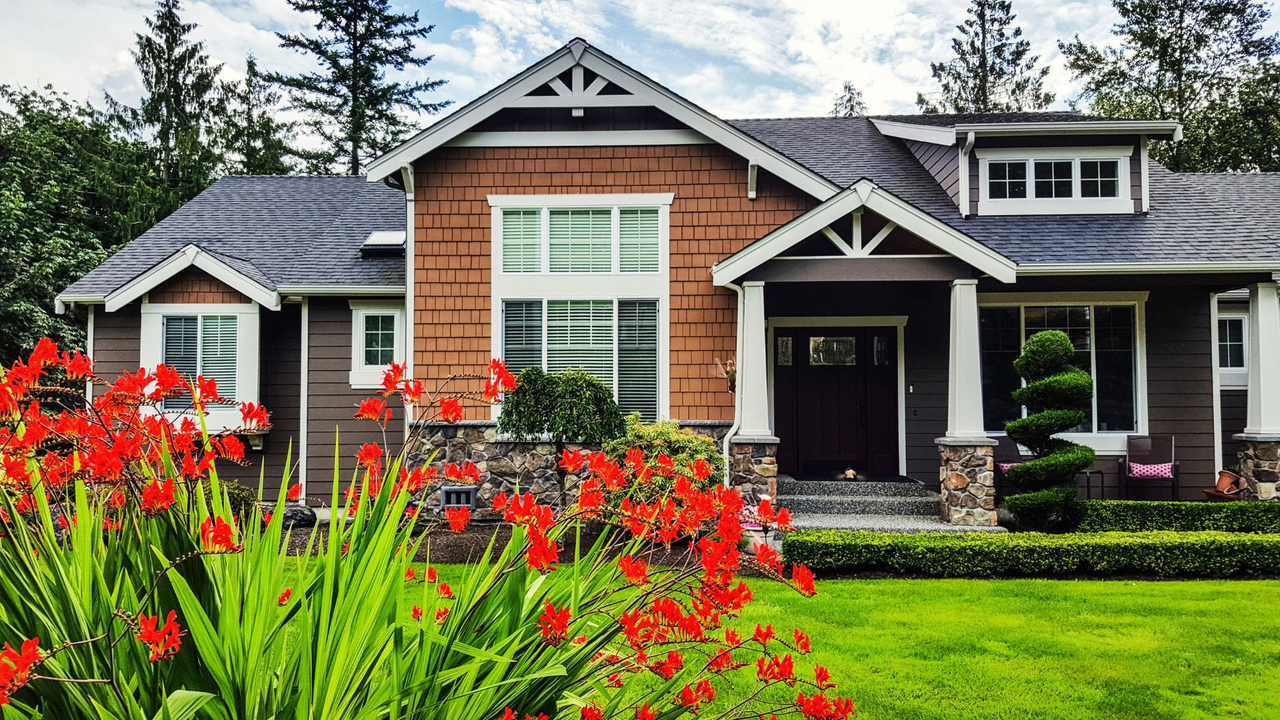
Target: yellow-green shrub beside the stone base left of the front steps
(683, 445)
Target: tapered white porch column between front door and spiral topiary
(964, 380)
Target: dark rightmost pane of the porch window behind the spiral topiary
(1114, 377)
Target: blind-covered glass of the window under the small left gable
(202, 345)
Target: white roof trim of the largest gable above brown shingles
(641, 86)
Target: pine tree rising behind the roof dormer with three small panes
(994, 71)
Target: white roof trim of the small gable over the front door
(866, 194)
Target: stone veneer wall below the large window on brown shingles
(506, 464)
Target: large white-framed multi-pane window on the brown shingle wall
(583, 281)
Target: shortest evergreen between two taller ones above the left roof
(258, 144)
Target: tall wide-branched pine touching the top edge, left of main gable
(354, 108)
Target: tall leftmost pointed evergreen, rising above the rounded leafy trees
(181, 104)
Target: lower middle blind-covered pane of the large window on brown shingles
(580, 335)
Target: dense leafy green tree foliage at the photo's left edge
(71, 193)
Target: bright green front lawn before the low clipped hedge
(1040, 649)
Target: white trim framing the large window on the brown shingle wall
(587, 286)
